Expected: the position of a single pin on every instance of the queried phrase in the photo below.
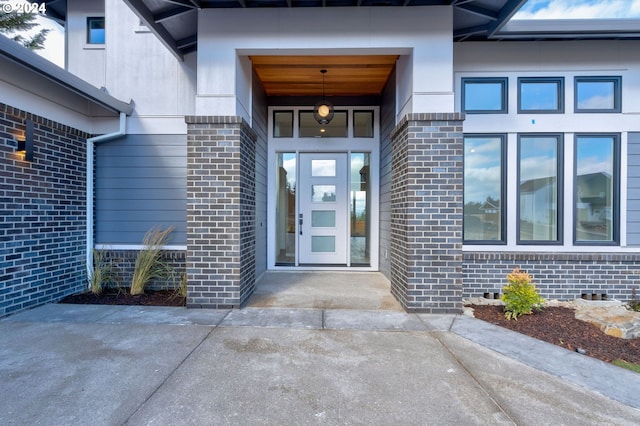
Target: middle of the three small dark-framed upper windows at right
(541, 95)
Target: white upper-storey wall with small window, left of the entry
(132, 64)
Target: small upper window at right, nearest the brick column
(484, 95)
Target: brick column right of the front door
(426, 212)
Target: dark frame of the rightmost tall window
(615, 218)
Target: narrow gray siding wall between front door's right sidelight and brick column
(387, 124)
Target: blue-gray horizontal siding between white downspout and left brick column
(141, 182)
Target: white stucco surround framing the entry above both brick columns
(422, 34)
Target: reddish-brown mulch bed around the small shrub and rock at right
(559, 326)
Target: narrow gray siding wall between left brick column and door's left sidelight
(259, 125)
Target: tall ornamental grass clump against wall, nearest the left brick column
(149, 264)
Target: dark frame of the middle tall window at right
(559, 184)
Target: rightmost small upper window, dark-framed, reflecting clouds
(598, 94)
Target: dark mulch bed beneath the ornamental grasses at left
(150, 298)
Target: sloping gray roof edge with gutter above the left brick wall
(33, 62)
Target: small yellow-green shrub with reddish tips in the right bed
(520, 295)
